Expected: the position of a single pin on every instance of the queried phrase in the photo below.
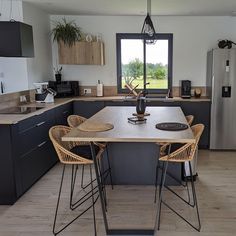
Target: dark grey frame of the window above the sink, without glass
(166, 36)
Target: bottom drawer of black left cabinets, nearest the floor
(36, 163)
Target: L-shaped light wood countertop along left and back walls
(14, 118)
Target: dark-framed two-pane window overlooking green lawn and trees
(147, 66)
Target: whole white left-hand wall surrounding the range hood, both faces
(20, 73)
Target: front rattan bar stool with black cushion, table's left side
(67, 157)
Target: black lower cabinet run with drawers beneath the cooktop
(27, 154)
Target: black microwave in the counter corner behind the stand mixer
(65, 88)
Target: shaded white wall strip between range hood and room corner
(40, 67)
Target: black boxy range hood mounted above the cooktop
(16, 39)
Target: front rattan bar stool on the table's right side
(183, 154)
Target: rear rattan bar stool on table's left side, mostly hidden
(74, 121)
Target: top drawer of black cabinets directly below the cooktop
(31, 122)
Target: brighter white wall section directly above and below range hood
(13, 71)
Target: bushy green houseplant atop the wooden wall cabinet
(66, 32)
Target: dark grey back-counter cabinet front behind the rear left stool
(87, 108)
